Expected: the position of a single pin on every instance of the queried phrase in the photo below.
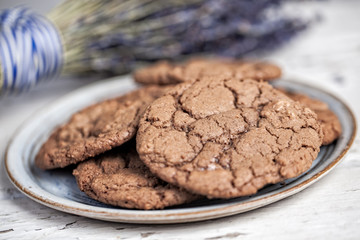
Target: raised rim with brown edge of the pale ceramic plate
(169, 216)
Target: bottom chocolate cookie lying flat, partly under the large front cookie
(119, 178)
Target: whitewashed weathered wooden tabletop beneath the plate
(326, 56)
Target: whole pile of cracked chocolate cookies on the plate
(204, 128)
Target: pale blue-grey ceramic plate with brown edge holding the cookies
(57, 188)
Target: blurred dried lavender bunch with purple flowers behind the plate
(116, 37)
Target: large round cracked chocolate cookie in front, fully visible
(225, 137)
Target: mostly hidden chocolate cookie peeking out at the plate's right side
(330, 123)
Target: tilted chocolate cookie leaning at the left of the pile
(96, 129)
